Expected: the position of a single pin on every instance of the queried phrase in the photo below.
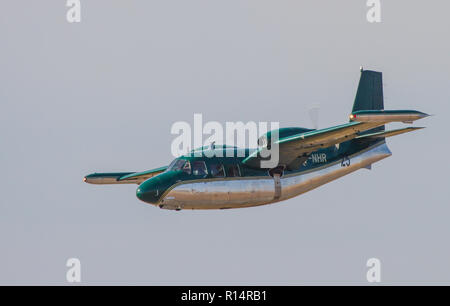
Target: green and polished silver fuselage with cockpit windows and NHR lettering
(253, 187)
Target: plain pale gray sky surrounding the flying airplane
(102, 95)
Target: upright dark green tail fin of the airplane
(370, 93)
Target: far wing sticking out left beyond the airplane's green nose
(122, 177)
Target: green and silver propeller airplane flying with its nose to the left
(308, 158)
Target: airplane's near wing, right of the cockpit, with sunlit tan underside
(294, 150)
